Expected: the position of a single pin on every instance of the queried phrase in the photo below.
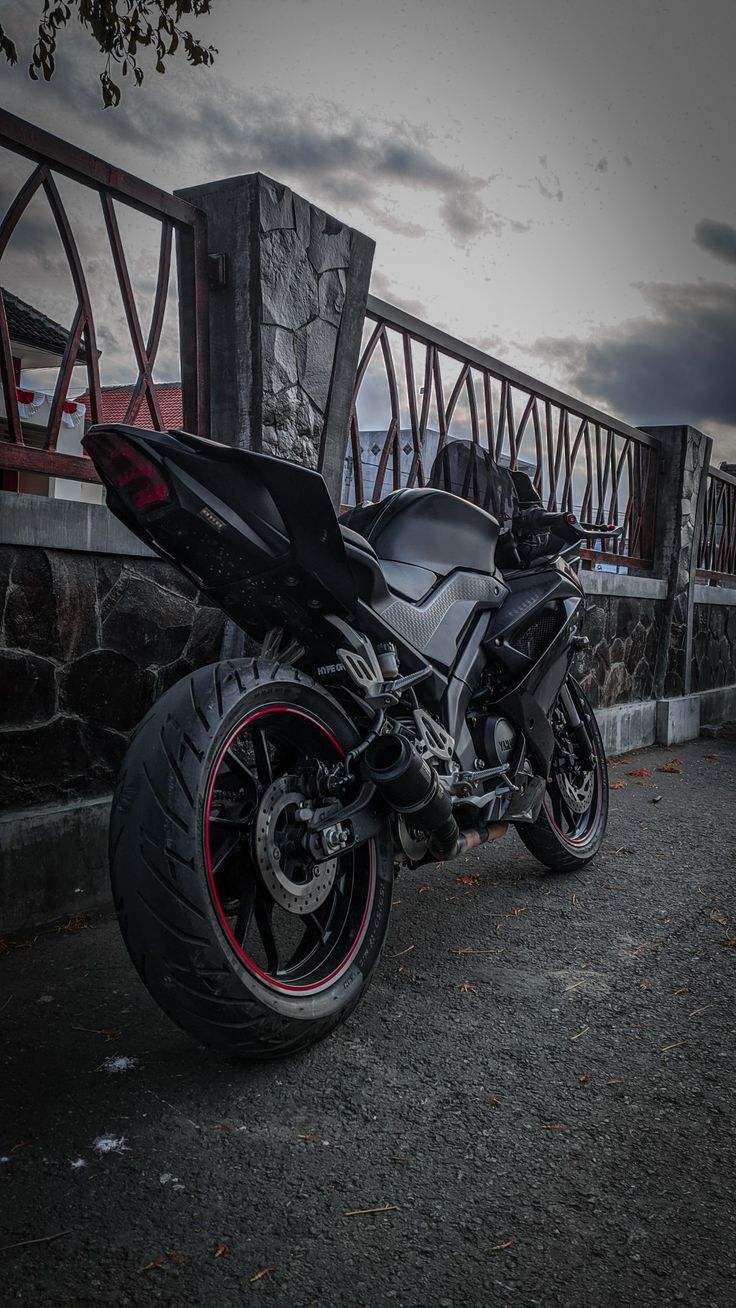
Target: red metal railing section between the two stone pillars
(418, 388)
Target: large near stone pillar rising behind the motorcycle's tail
(286, 328)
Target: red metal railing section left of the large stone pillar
(54, 158)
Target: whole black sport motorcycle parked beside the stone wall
(411, 698)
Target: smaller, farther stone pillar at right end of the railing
(682, 487)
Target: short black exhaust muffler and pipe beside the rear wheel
(410, 787)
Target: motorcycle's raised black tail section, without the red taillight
(249, 529)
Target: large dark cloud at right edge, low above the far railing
(674, 368)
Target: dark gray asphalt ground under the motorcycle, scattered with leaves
(538, 1092)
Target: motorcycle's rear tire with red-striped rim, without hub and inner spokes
(168, 906)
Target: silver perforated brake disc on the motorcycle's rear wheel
(290, 881)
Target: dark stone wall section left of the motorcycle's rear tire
(87, 644)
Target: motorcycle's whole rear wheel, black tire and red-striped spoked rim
(236, 935)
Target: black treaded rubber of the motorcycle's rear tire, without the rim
(160, 893)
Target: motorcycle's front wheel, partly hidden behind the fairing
(575, 816)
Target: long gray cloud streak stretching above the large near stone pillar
(346, 160)
